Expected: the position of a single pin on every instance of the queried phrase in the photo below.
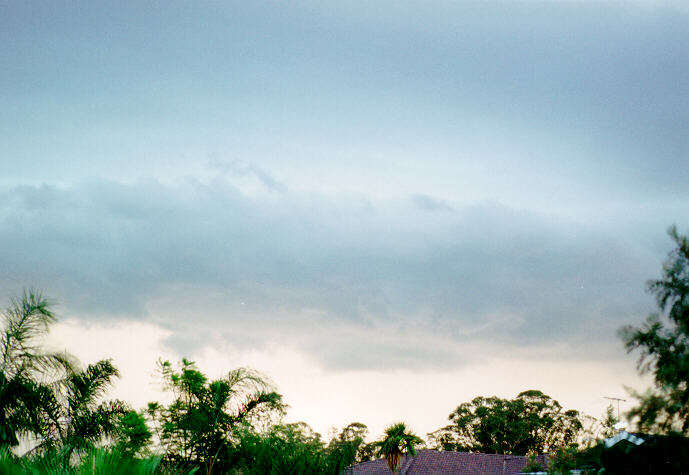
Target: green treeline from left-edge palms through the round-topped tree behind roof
(55, 410)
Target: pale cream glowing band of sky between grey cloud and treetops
(325, 398)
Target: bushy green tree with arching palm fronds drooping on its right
(197, 428)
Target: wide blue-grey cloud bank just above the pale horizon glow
(473, 272)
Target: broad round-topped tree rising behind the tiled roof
(532, 423)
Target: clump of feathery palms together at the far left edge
(44, 394)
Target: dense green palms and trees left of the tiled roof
(55, 410)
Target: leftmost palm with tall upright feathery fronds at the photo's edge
(25, 369)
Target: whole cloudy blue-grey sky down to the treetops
(387, 207)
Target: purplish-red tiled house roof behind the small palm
(436, 462)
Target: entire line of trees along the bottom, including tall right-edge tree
(53, 410)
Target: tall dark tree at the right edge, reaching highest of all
(663, 341)
